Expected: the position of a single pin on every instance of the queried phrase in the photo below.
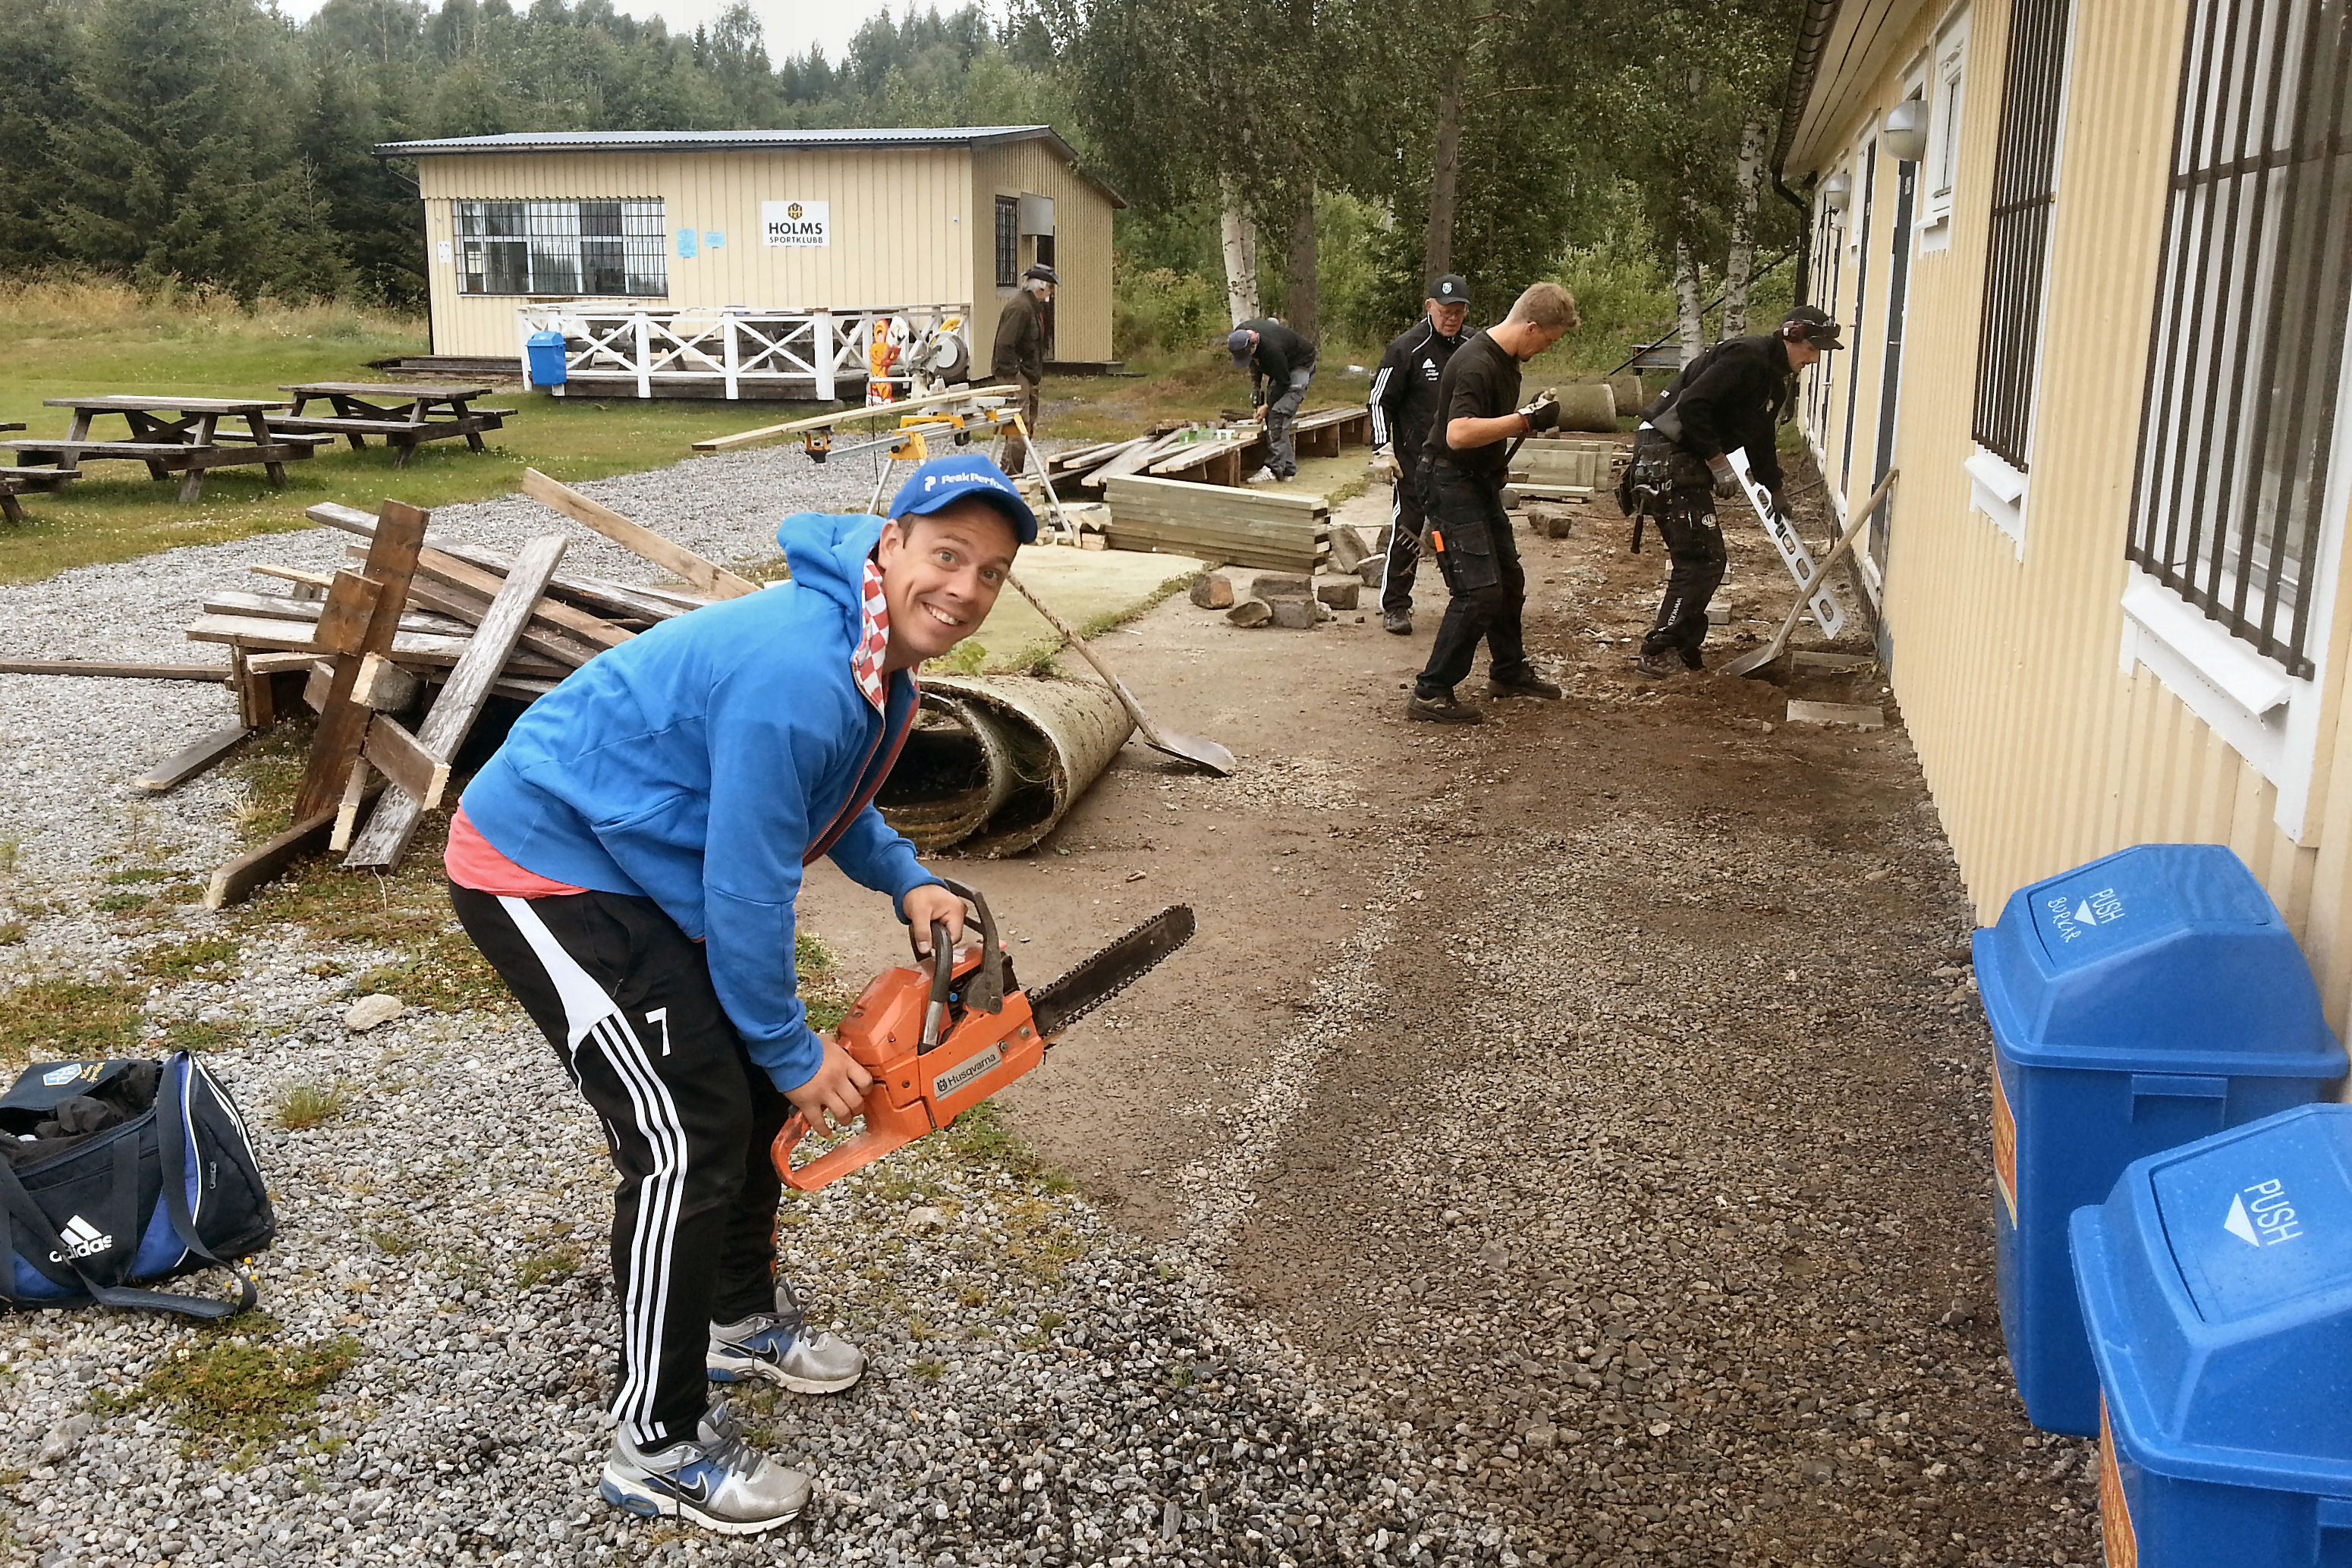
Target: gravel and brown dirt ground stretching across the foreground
(1612, 1193)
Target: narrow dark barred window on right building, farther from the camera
(2024, 192)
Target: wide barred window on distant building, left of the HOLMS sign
(563, 248)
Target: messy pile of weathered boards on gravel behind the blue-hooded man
(408, 612)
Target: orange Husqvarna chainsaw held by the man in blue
(944, 1036)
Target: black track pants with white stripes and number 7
(688, 1118)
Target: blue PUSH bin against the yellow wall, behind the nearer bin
(2137, 1003)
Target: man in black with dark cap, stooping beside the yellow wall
(1728, 398)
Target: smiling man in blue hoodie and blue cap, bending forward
(629, 864)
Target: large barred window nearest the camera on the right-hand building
(2250, 328)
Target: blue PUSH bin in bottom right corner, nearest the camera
(2217, 1285)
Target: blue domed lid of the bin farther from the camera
(2163, 958)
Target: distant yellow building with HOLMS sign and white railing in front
(719, 264)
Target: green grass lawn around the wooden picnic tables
(119, 514)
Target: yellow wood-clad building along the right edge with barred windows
(2094, 269)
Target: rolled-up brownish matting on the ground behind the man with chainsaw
(998, 760)
